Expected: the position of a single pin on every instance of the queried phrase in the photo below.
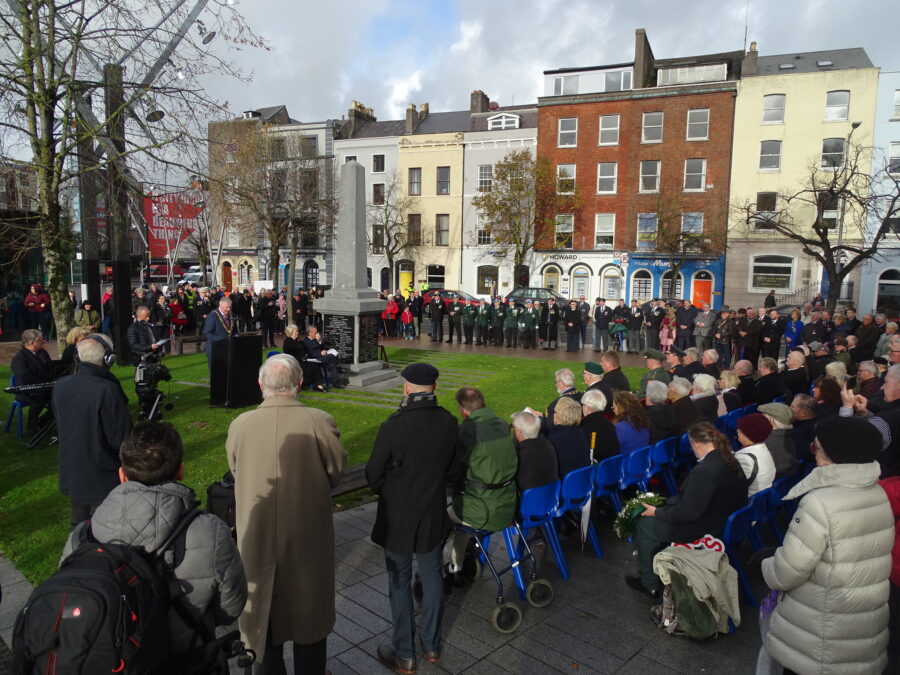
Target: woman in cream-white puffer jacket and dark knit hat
(835, 561)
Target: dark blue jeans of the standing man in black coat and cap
(399, 568)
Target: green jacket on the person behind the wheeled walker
(486, 457)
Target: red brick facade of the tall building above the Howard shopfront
(674, 149)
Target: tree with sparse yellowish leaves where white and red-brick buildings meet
(519, 211)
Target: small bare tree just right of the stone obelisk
(392, 233)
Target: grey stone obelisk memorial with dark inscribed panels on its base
(351, 310)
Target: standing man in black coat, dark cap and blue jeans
(408, 469)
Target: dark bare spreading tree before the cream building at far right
(840, 214)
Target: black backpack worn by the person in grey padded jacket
(106, 609)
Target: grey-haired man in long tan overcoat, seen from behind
(285, 459)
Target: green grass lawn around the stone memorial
(34, 517)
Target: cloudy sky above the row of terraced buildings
(387, 53)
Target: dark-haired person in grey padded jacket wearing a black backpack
(150, 524)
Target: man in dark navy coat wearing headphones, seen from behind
(92, 420)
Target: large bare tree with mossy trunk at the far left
(56, 56)
